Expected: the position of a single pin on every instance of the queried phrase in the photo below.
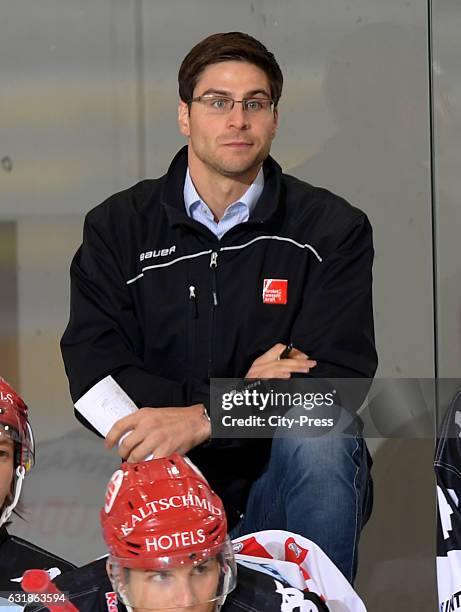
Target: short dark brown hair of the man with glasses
(225, 47)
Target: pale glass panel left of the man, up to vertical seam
(68, 139)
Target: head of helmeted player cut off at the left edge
(16, 448)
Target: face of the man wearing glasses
(233, 144)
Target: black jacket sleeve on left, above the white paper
(103, 335)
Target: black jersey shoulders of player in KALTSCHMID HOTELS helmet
(90, 590)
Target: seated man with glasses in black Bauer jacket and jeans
(216, 270)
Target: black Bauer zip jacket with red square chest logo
(135, 315)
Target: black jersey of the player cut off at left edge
(18, 555)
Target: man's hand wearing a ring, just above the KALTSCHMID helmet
(160, 431)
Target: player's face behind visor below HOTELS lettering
(178, 589)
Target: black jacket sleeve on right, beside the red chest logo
(335, 322)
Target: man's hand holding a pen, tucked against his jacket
(269, 365)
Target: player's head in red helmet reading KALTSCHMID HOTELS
(167, 536)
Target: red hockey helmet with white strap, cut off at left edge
(14, 424)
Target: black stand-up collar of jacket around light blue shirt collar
(173, 193)
